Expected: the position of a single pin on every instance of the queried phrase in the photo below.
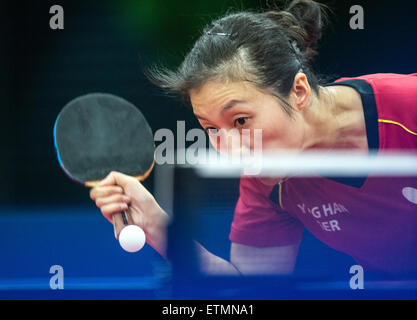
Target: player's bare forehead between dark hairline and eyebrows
(214, 94)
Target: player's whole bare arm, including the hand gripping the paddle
(147, 214)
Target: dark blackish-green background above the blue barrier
(105, 45)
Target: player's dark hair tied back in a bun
(267, 48)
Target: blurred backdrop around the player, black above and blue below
(47, 219)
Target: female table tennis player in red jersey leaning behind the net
(252, 70)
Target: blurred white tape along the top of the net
(346, 163)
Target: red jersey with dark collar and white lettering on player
(373, 219)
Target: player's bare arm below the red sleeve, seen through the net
(250, 260)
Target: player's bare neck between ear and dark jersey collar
(336, 120)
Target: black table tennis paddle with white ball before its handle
(97, 133)
